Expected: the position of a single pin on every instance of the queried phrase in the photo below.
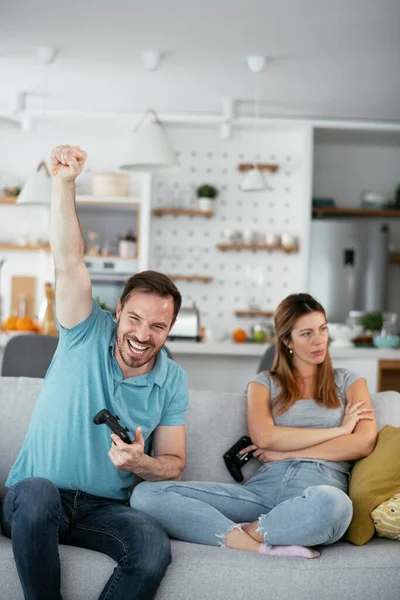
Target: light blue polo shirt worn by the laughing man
(62, 443)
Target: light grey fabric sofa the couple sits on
(215, 421)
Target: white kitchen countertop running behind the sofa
(248, 349)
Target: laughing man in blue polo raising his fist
(70, 483)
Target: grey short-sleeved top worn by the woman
(308, 413)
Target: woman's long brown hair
(283, 370)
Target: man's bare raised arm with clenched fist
(73, 285)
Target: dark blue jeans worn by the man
(37, 517)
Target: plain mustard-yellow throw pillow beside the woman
(374, 479)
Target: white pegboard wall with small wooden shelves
(187, 245)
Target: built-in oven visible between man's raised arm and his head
(108, 277)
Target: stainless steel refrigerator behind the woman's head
(349, 262)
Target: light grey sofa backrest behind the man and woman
(215, 421)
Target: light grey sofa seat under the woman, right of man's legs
(343, 571)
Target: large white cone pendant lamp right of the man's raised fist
(150, 147)
